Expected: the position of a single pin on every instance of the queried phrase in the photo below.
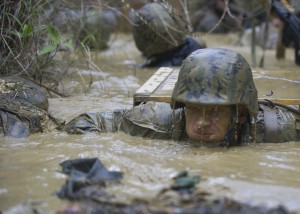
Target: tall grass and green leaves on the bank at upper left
(29, 42)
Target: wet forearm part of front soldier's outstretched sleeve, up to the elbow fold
(94, 122)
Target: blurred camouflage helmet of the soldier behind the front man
(156, 30)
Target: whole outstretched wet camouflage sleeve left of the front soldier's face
(150, 120)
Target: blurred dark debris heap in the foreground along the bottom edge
(86, 188)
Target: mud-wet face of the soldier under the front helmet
(207, 122)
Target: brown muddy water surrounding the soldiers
(265, 174)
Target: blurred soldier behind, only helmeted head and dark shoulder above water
(161, 36)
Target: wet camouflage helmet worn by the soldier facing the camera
(215, 76)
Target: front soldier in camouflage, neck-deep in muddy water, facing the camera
(214, 103)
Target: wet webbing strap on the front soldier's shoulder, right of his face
(271, 124)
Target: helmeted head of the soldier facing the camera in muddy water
(216, 88)
